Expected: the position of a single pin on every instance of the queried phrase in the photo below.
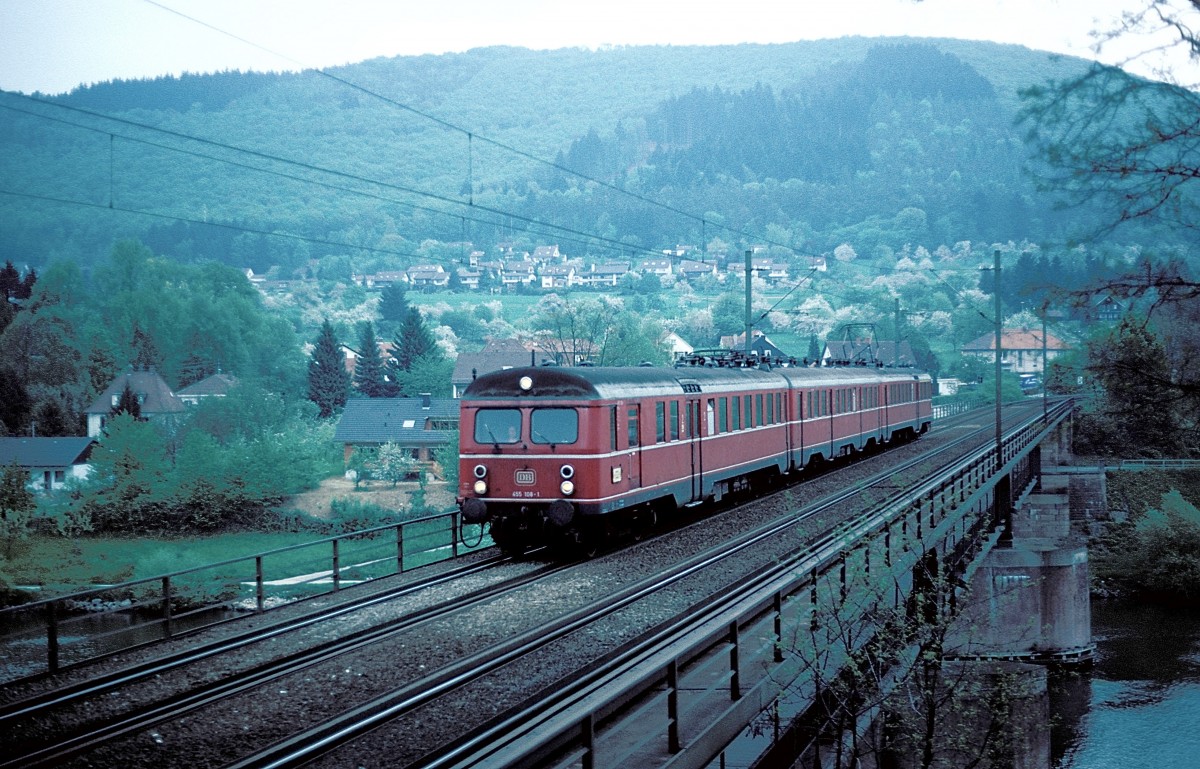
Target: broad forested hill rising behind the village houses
(880, 143)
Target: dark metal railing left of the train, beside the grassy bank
(56, 633)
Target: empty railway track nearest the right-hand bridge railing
(483, 743)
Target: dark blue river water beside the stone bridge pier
(1139, 707)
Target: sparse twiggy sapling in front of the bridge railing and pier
(885, 694)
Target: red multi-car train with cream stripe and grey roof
(571, 455)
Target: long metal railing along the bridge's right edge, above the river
(703, 687)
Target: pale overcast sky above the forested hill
(53, 46)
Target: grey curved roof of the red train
(639, 382)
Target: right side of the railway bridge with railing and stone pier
(986, 546)
